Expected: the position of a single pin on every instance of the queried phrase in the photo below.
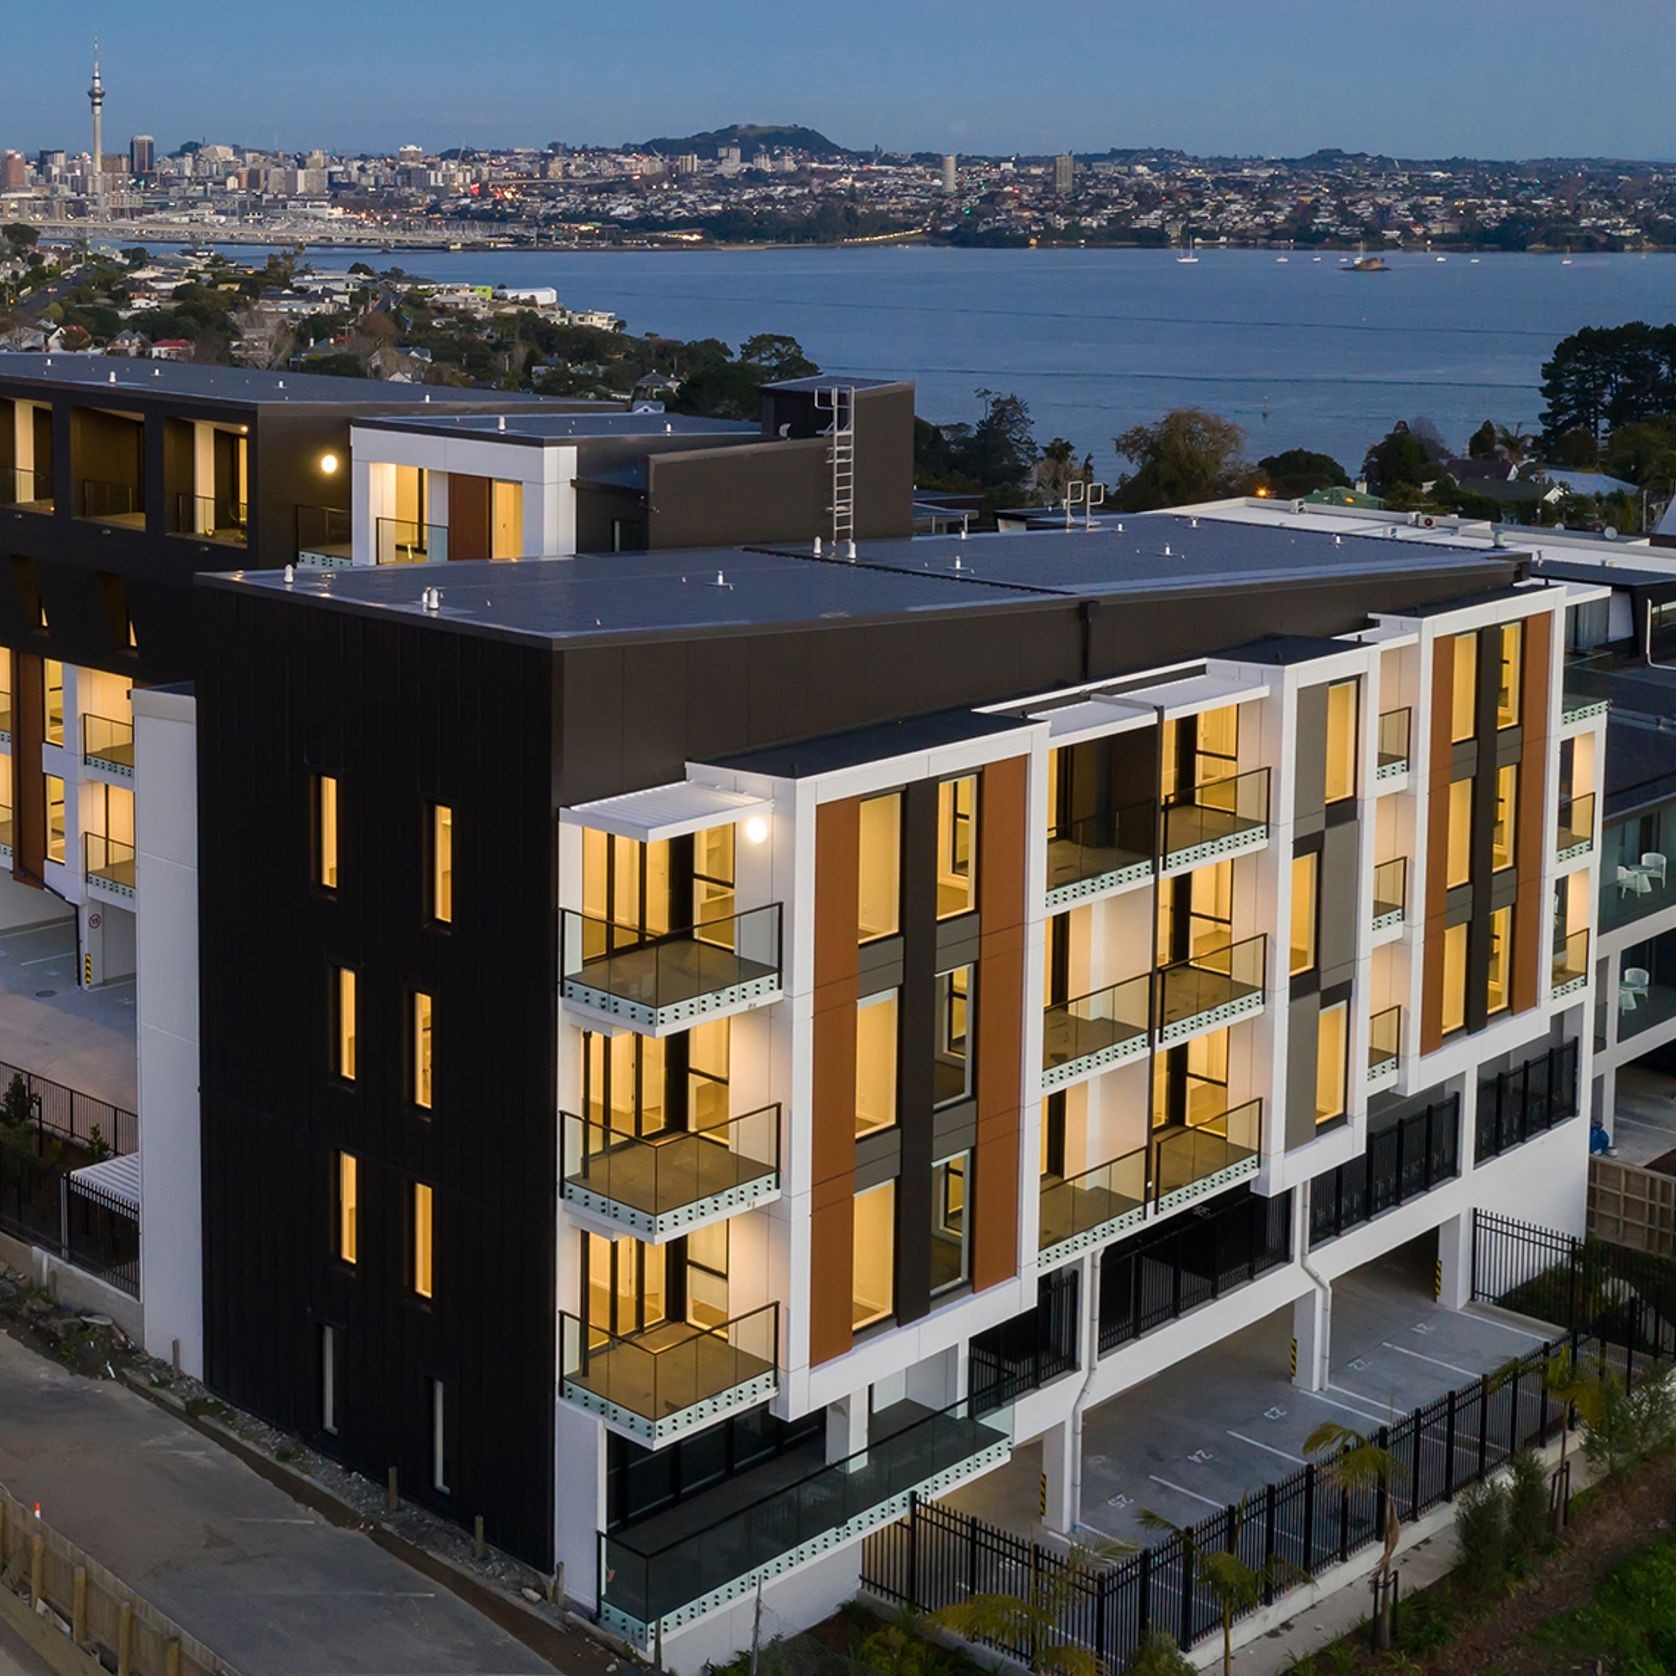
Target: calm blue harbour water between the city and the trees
(1298, 353)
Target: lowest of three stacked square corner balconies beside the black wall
(675, 1379)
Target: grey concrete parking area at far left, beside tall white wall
(83, 1038)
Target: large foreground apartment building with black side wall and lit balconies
(723, 1001)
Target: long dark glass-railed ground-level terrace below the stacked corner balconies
(700, 1554)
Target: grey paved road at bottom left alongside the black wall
(261, 1580)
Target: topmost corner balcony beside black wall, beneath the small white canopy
(661, 983)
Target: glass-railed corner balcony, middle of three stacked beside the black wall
(666, 1184)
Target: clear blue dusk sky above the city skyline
(1280, 78)
